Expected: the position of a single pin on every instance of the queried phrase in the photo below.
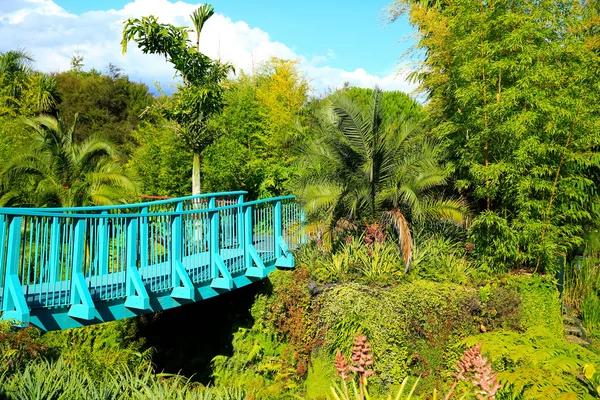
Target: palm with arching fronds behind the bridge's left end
(58, 172)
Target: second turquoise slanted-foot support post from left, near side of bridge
(82, 305)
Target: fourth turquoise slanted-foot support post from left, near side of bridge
(183, 288)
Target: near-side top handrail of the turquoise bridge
(41, 212)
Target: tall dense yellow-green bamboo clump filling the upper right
(514, 95)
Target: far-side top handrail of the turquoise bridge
(36, 211)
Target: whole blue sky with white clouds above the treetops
(334, 41)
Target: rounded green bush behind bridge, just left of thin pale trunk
(160, 160)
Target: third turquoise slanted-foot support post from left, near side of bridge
(137, 296)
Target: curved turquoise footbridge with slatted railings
(63, 268)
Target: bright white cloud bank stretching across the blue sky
(53, 35)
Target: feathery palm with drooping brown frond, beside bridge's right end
(363, 168)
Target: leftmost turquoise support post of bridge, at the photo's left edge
(14, 305)
